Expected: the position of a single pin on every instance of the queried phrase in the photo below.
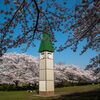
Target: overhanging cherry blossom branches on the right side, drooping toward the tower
(86, 28)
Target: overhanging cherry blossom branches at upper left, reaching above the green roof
(30, 17)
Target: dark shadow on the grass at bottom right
(90, 95)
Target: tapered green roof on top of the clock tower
(46, 44)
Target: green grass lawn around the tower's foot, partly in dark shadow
(88, 92)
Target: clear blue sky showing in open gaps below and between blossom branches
(67, 56)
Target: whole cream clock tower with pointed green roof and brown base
(46, 70)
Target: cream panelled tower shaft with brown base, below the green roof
(46, 74)
